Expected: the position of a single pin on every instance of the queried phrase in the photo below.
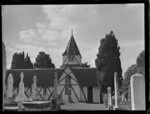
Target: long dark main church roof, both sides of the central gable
(45, 77)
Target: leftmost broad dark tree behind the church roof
(18, 61)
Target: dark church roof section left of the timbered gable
(45, 77)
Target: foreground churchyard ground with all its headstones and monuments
(21, 102)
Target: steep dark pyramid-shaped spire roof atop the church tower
(72, 48)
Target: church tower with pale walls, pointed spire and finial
(72, 55)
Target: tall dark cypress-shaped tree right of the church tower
(107, 63)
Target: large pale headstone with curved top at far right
(137, 83)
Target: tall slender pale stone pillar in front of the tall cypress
(116, 89)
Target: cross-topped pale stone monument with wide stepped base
(21, 95)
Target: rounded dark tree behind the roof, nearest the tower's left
(43, 61)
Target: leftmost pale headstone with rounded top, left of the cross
(10, 86)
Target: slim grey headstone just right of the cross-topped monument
(34, 87)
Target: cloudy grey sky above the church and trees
(47, 28)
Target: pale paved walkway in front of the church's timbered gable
(82, 106)
